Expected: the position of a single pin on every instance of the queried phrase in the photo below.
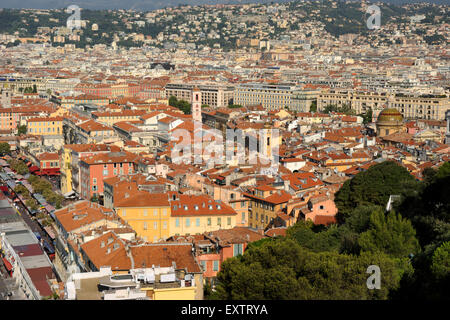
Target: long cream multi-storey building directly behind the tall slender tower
(213, 95)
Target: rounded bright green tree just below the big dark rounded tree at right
(393, 235)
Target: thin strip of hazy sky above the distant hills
(143, 4)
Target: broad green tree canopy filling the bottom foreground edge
(282, 269)
